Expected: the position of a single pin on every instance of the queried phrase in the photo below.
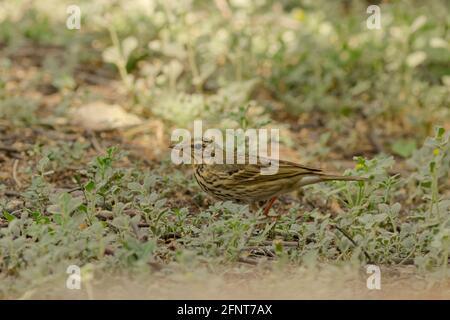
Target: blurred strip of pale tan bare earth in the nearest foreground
(254, 282)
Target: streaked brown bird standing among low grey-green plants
(244, 183)
